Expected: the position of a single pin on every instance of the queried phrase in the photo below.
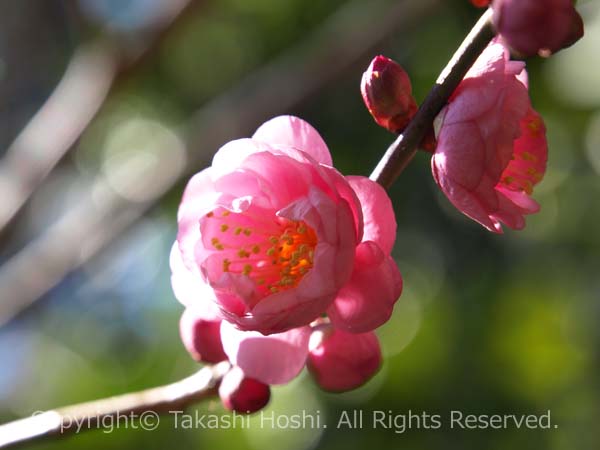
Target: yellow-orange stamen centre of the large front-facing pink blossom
(274, 252)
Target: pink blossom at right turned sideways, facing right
(492, 146)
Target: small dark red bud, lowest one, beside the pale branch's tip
(241, 394)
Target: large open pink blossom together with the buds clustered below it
(283, 263)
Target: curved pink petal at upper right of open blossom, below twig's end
(378, 212)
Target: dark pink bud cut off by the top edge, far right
(532, 27)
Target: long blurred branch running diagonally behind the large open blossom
(275, 88)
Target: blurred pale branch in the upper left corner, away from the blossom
(91, 75)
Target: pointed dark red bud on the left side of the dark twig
(386, 91)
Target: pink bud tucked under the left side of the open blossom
(201, 337)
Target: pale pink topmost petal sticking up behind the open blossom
(294, 132)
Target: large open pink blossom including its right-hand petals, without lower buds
(271, 234)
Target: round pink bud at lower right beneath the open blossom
(341, 361)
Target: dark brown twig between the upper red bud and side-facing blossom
(403, 149)
